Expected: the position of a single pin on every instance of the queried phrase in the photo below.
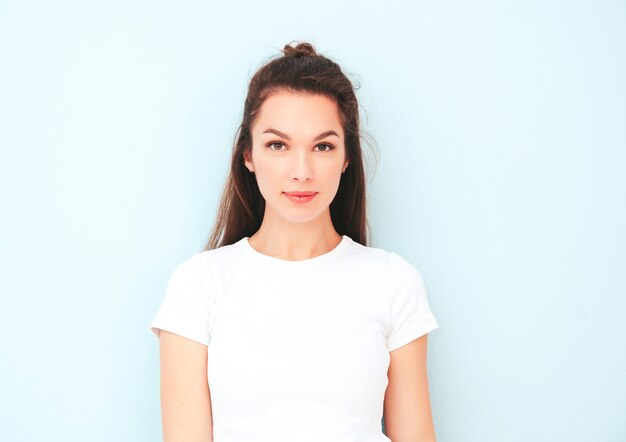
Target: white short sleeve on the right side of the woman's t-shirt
(410, 314)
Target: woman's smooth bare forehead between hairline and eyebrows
(290, 112)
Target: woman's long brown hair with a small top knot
(300, 70)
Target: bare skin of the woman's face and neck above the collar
(297, 163)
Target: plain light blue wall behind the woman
(501, 128)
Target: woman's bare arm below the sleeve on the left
(185, 396)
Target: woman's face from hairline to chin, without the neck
(297, 146)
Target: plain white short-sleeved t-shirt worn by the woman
(297, 350)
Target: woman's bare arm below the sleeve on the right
(407, 413)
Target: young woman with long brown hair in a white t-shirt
(288, 326)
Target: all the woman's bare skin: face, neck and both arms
(293, 161)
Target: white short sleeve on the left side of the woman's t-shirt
(187, 303)
